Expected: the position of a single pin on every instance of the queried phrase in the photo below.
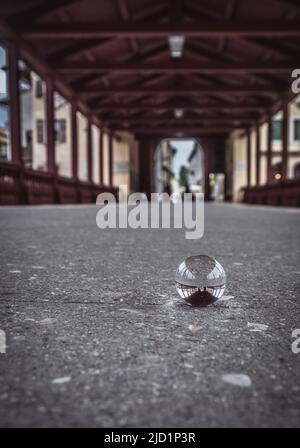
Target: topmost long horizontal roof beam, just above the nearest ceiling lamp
(208, 28)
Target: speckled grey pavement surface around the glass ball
(96, 335)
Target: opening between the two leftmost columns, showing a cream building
(32, 92)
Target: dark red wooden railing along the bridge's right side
(285, 193)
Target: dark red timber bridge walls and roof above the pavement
(83, 79)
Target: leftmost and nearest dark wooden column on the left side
(15, 125)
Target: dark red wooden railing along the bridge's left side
(20, 185)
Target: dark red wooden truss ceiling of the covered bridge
(112, 58)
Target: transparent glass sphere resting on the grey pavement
(200, 280)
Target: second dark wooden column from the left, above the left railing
(50, 126)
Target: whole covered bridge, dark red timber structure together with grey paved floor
(92, 330)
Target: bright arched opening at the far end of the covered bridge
(179, 166)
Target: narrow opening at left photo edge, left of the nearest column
(5, 147)
